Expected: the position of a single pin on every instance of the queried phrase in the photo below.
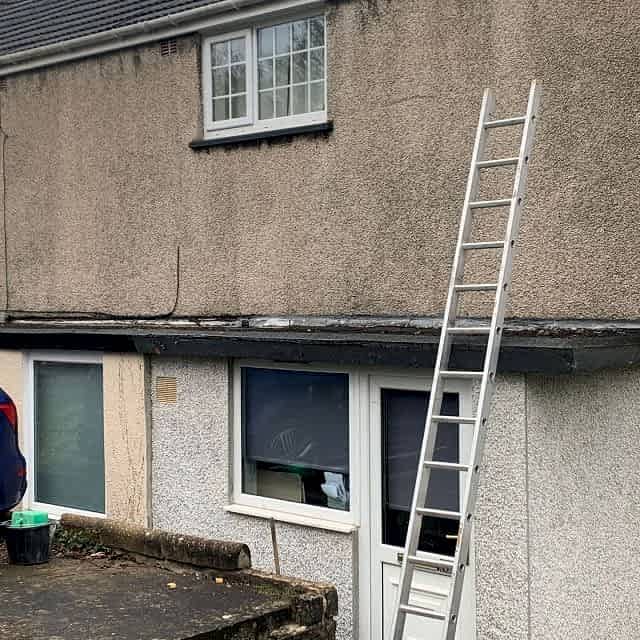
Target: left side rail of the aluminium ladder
(435, 399)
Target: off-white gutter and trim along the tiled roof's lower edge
(220, 14)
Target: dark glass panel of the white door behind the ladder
(403, 419)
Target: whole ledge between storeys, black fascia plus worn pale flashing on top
(581, 349)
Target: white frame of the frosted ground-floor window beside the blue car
(78, 357)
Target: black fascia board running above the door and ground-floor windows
(543, 354)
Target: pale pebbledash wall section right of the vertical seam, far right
(584, 486)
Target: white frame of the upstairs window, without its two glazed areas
(251, 124)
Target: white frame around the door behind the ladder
(370, 604)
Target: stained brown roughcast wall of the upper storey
(101, 185)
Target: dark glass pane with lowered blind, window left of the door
(295, 434)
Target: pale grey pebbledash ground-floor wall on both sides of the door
(555, 544)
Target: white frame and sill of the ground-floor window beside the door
(311, 515)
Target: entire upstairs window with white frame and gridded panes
(265, 78)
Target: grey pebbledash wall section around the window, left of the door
(190, 484)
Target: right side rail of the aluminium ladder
(491, 359)
